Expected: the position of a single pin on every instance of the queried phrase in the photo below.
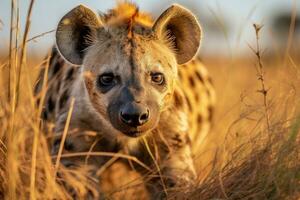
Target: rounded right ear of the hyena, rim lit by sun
(180, 27)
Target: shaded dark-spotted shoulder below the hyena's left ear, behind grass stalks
(60, 78)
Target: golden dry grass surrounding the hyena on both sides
(252, 153)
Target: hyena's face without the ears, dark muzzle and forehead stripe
(130, 80)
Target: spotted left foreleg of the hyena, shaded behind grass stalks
(83, 167)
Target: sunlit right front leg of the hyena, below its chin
(176, 166)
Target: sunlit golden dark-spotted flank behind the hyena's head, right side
(197, 87)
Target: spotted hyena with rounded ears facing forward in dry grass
(137, 87)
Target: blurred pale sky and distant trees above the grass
(227, 24)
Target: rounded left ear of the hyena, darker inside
(75, 32)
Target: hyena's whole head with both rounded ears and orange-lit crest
(129, 64)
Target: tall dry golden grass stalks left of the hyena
(27, 170)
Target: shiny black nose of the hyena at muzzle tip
(134, 114)
